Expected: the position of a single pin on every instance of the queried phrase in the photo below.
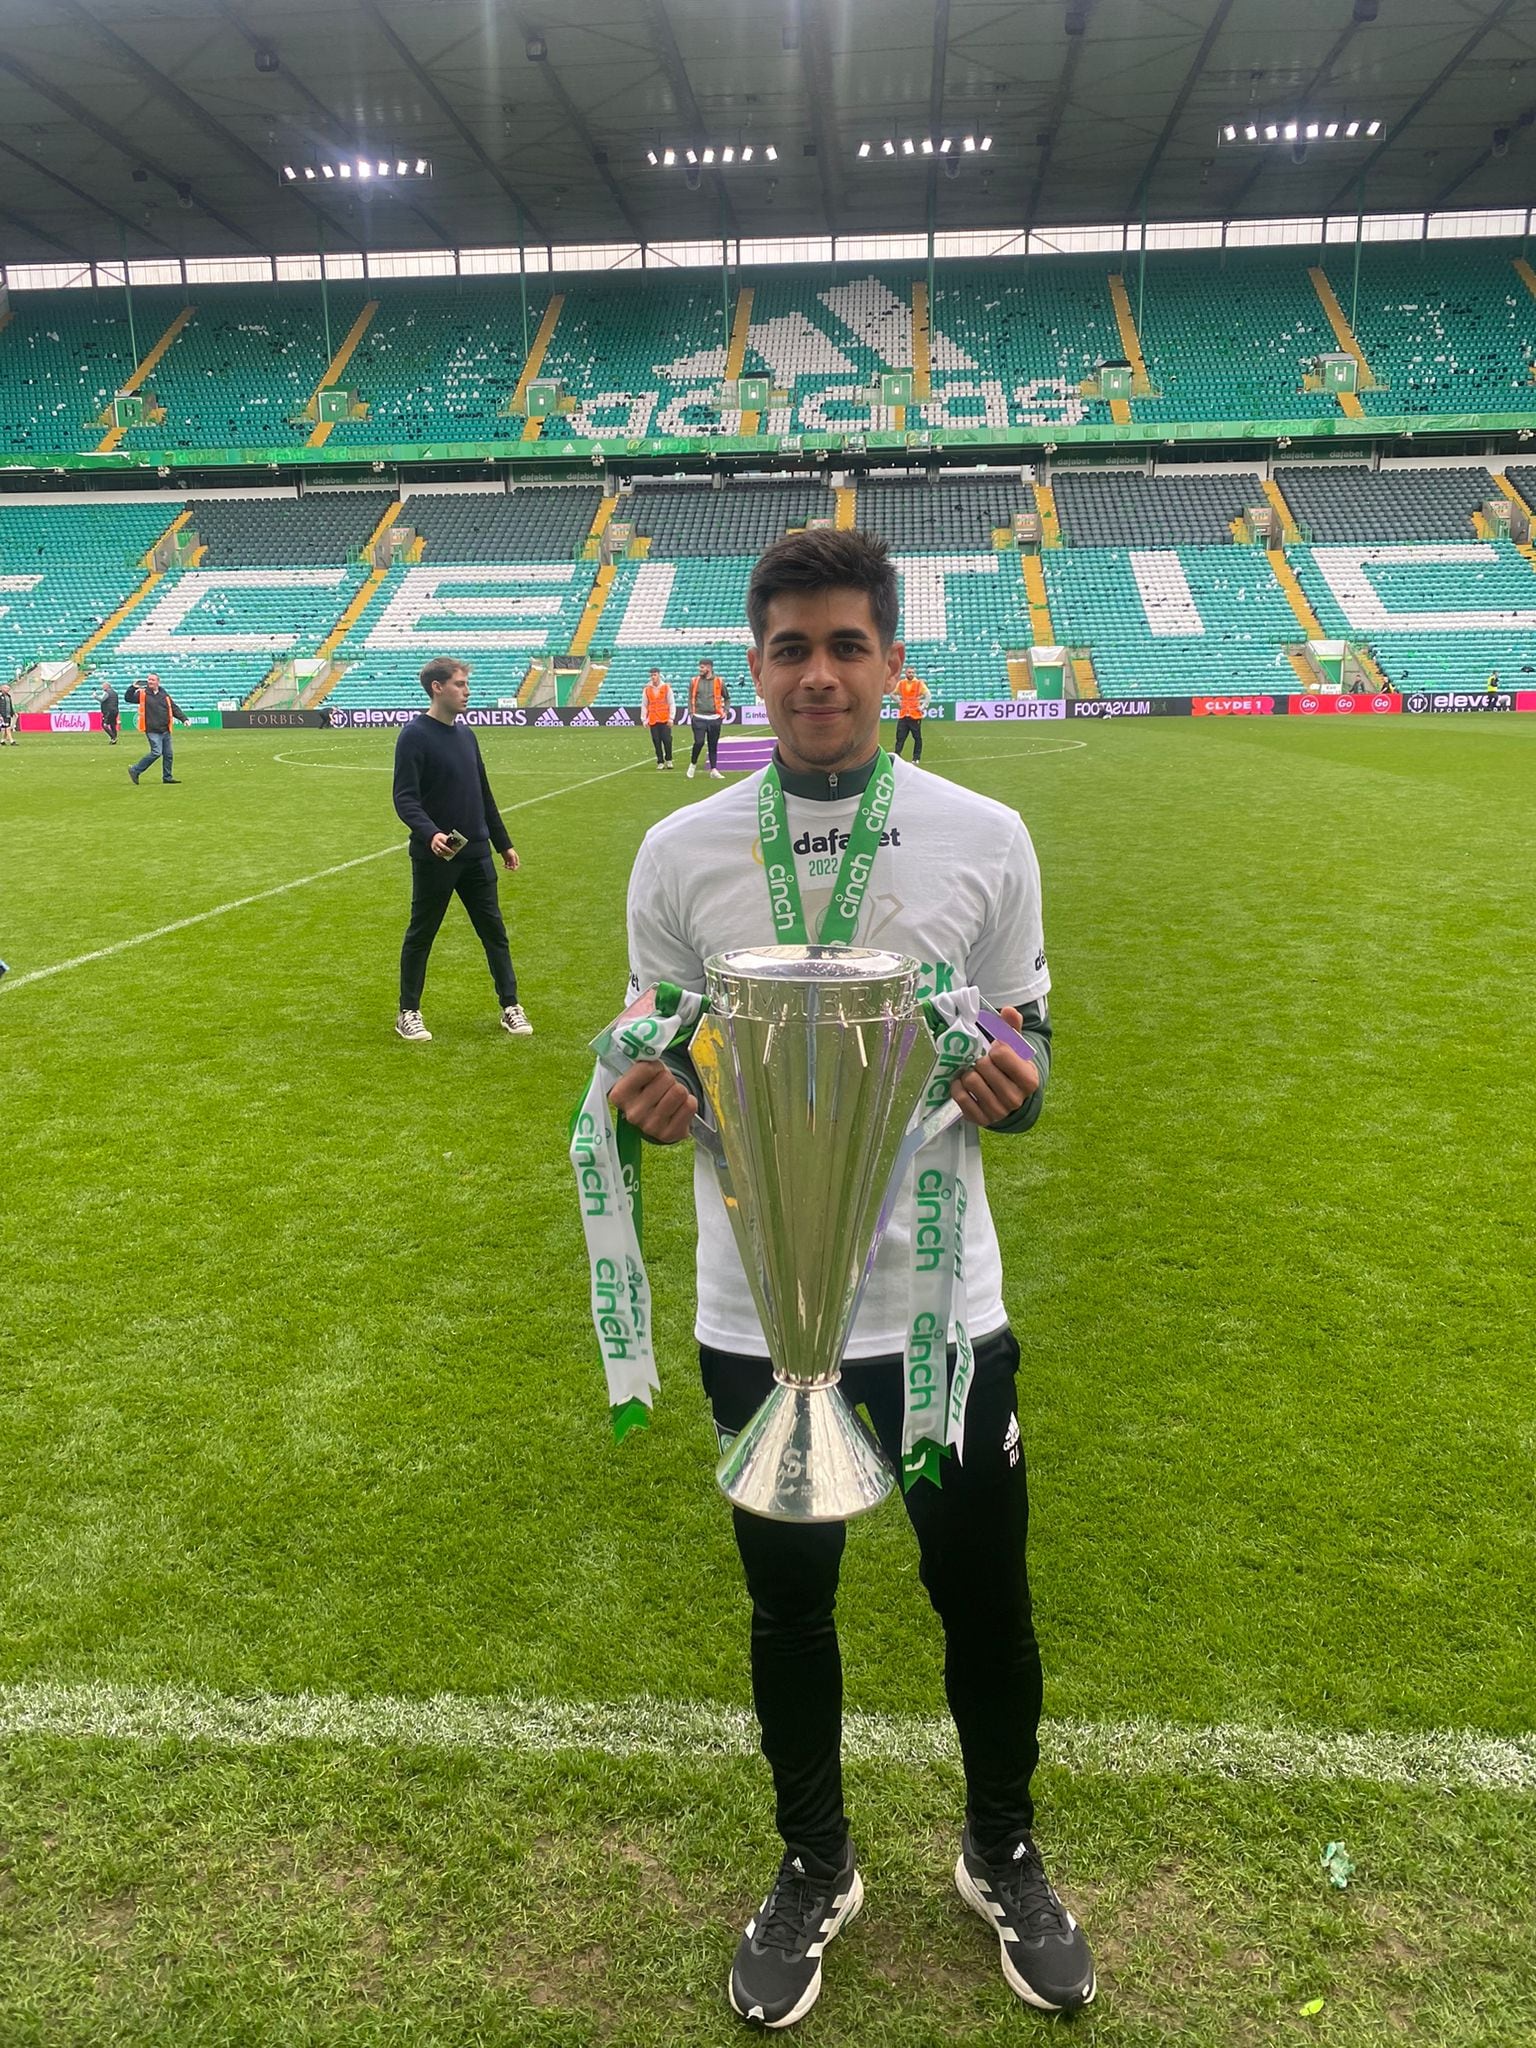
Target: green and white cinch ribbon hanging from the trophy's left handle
(607, 1162)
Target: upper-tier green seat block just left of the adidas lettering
(439, 361)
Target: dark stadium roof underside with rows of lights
(163, 126)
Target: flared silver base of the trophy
(806, 1457)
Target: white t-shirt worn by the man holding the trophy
(955, 884)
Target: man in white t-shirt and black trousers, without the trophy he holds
(953, 884)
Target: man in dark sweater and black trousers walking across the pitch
(445, 798)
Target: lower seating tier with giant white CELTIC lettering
(1115, 585)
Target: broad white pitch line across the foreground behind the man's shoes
(1439, 1760)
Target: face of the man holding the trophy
(822, 675)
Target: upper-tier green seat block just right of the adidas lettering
(1232, 335)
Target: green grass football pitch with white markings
(357, 1689)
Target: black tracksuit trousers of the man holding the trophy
(972, 1537)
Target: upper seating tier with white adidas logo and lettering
(1224, 343)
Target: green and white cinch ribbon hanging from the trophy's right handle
(933, 1420)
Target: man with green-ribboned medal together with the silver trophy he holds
(824, 910)
